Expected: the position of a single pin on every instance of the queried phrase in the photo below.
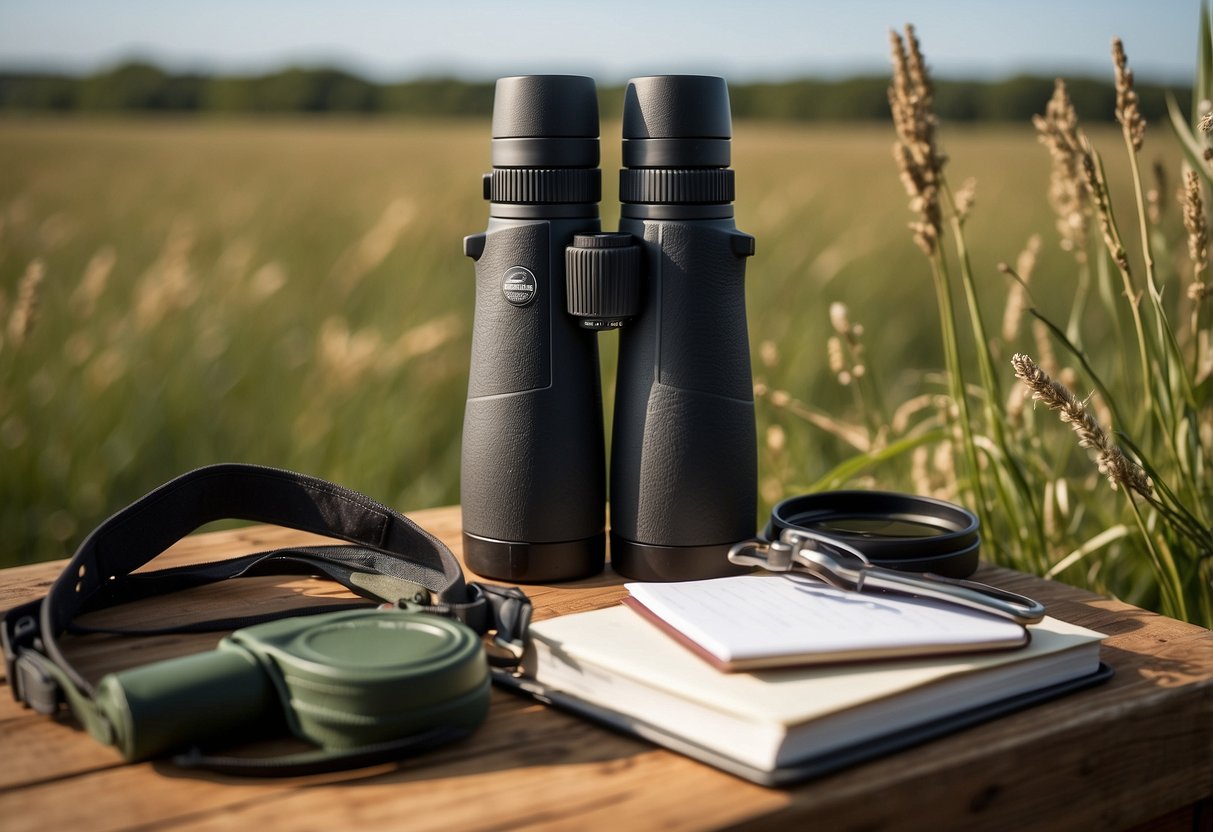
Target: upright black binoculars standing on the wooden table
(684, 457)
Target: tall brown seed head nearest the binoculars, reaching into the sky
(912, 99)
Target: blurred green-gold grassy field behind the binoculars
(294, 294)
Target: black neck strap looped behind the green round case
(391, 561)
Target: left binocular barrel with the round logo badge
(534, 475)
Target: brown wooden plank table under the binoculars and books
(1136, 751)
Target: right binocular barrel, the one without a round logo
(684, 476)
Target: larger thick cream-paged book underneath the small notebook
(783, 726)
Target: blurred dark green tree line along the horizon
(145, 88)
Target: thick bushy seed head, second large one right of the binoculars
(1058, 130)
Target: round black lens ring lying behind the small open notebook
(901, 532)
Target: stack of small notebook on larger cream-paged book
(779, 680)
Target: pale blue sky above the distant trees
(761, 39)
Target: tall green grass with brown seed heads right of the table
(1135, 338)
